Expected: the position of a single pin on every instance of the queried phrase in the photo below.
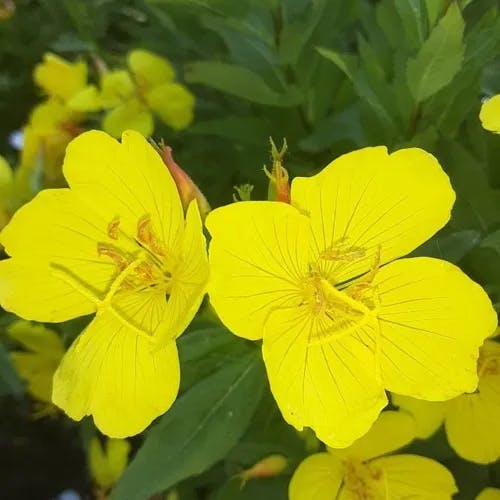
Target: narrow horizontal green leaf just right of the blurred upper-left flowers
(241, 82)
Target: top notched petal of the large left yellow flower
(127, 180)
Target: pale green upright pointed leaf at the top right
(440, 57)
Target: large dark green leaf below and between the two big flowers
(202, 426)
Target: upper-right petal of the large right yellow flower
(368, 200)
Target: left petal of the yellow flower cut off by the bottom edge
(318, 477)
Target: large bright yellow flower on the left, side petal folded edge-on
(116, 243)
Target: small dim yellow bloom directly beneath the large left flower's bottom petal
(107, 463)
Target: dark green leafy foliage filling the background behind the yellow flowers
(330, 76)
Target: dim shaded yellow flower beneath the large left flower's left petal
(36, 364)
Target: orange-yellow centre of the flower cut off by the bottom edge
(363, 480)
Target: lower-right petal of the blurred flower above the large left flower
(173, 103)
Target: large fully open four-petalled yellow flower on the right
(339, 326)
